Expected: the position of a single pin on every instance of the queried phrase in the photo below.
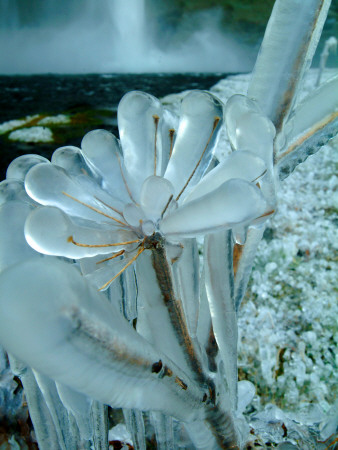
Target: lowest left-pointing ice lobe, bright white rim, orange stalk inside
(50, 231)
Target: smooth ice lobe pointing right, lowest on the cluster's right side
(235, 201)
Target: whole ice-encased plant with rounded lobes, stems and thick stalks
(102, 299)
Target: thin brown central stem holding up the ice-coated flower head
(220, 422)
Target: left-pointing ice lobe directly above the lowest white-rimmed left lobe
(51, 185)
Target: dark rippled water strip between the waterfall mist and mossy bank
(22, 95)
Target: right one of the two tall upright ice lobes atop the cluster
(200, 122)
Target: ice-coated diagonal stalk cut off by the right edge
(311, 125)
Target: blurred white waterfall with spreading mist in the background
(88, 36)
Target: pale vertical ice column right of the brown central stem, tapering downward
(219, 281)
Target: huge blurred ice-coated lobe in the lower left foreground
(61, 326)
